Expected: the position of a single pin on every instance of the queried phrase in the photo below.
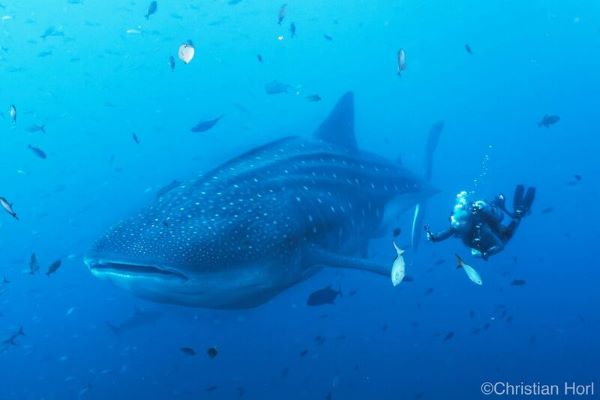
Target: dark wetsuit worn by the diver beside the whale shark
(483, 231)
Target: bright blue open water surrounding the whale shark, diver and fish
(93, 84)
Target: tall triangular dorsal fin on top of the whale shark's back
(338, 128)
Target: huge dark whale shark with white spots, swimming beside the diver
(261, 222)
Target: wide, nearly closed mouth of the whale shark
(126, 269)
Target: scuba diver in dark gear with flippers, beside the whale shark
(479, 223)
